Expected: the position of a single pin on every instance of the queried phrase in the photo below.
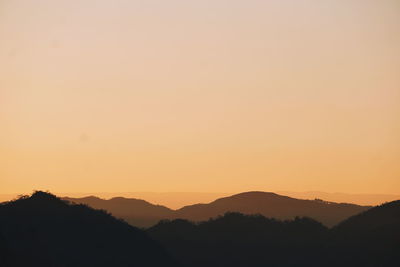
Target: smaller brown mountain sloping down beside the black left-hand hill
(137, 212)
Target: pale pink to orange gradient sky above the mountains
(205, 96)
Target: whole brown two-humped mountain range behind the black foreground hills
(144, 214)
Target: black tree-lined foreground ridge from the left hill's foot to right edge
(369, 239)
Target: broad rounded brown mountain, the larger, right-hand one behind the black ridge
(271, 205)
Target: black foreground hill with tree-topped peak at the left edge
(42, 230)
